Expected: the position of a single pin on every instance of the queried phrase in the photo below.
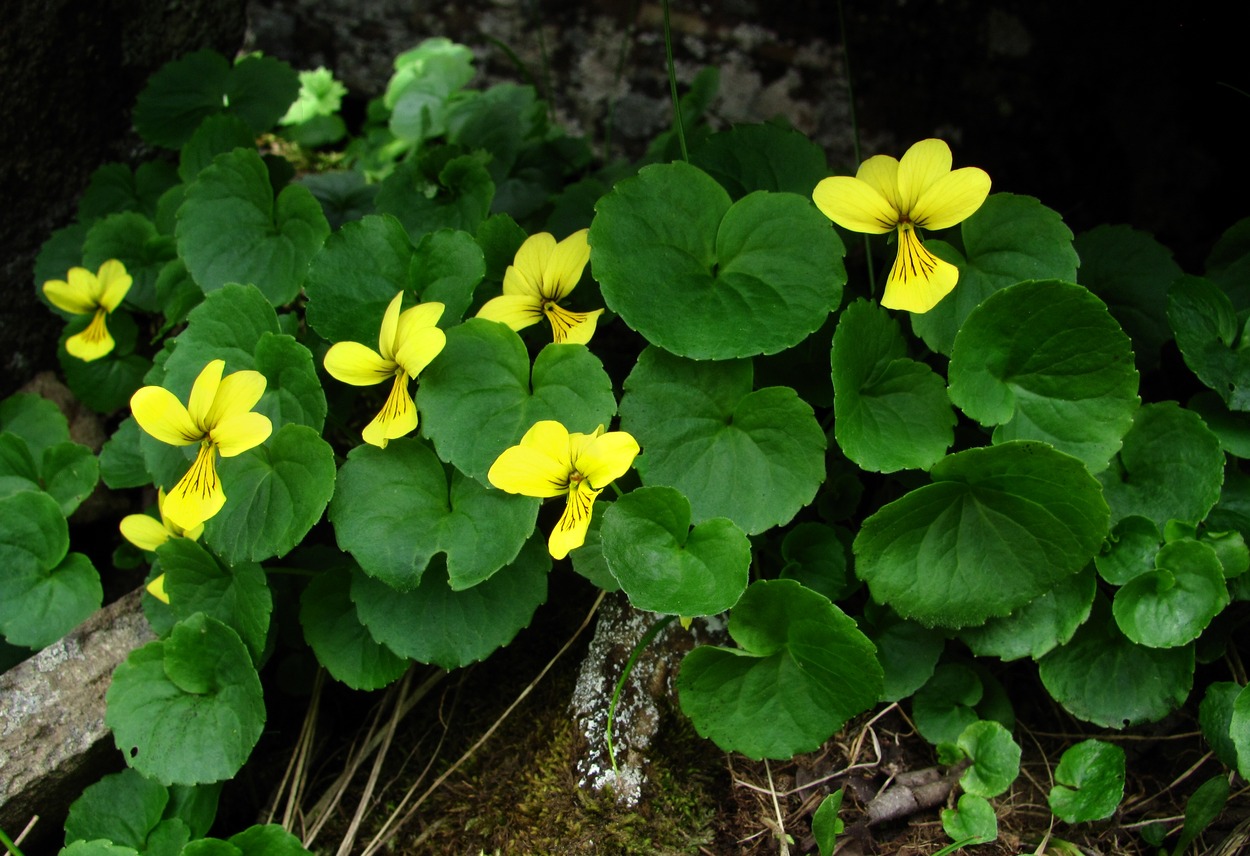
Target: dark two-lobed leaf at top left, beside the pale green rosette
(184, 93)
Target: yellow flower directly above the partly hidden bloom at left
(219, 418)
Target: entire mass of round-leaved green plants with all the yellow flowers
(673, 351)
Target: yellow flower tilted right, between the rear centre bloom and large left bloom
(408, 343)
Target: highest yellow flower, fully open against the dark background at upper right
(921, 192)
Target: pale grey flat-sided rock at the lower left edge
(53, 738)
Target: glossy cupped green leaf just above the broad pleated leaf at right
(1044, 361)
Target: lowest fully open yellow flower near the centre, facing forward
(551, 462)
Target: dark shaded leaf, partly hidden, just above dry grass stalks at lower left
(341, 640)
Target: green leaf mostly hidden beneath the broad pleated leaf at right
(1041, 625)
